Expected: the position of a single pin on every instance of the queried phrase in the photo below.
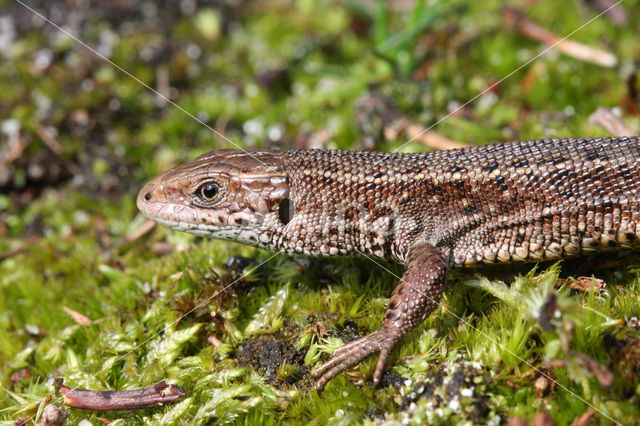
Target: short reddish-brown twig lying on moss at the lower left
(157, 395)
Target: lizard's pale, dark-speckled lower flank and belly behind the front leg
(566, 233)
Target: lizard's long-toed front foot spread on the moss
(381, 340)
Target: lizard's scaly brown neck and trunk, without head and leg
(515, 202)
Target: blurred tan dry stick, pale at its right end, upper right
(568, 47)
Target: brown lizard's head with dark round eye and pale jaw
(227, 194)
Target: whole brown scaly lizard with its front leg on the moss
(516, 202)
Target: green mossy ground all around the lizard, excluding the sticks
(87, 297)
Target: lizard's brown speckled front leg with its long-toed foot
(416, 295)
